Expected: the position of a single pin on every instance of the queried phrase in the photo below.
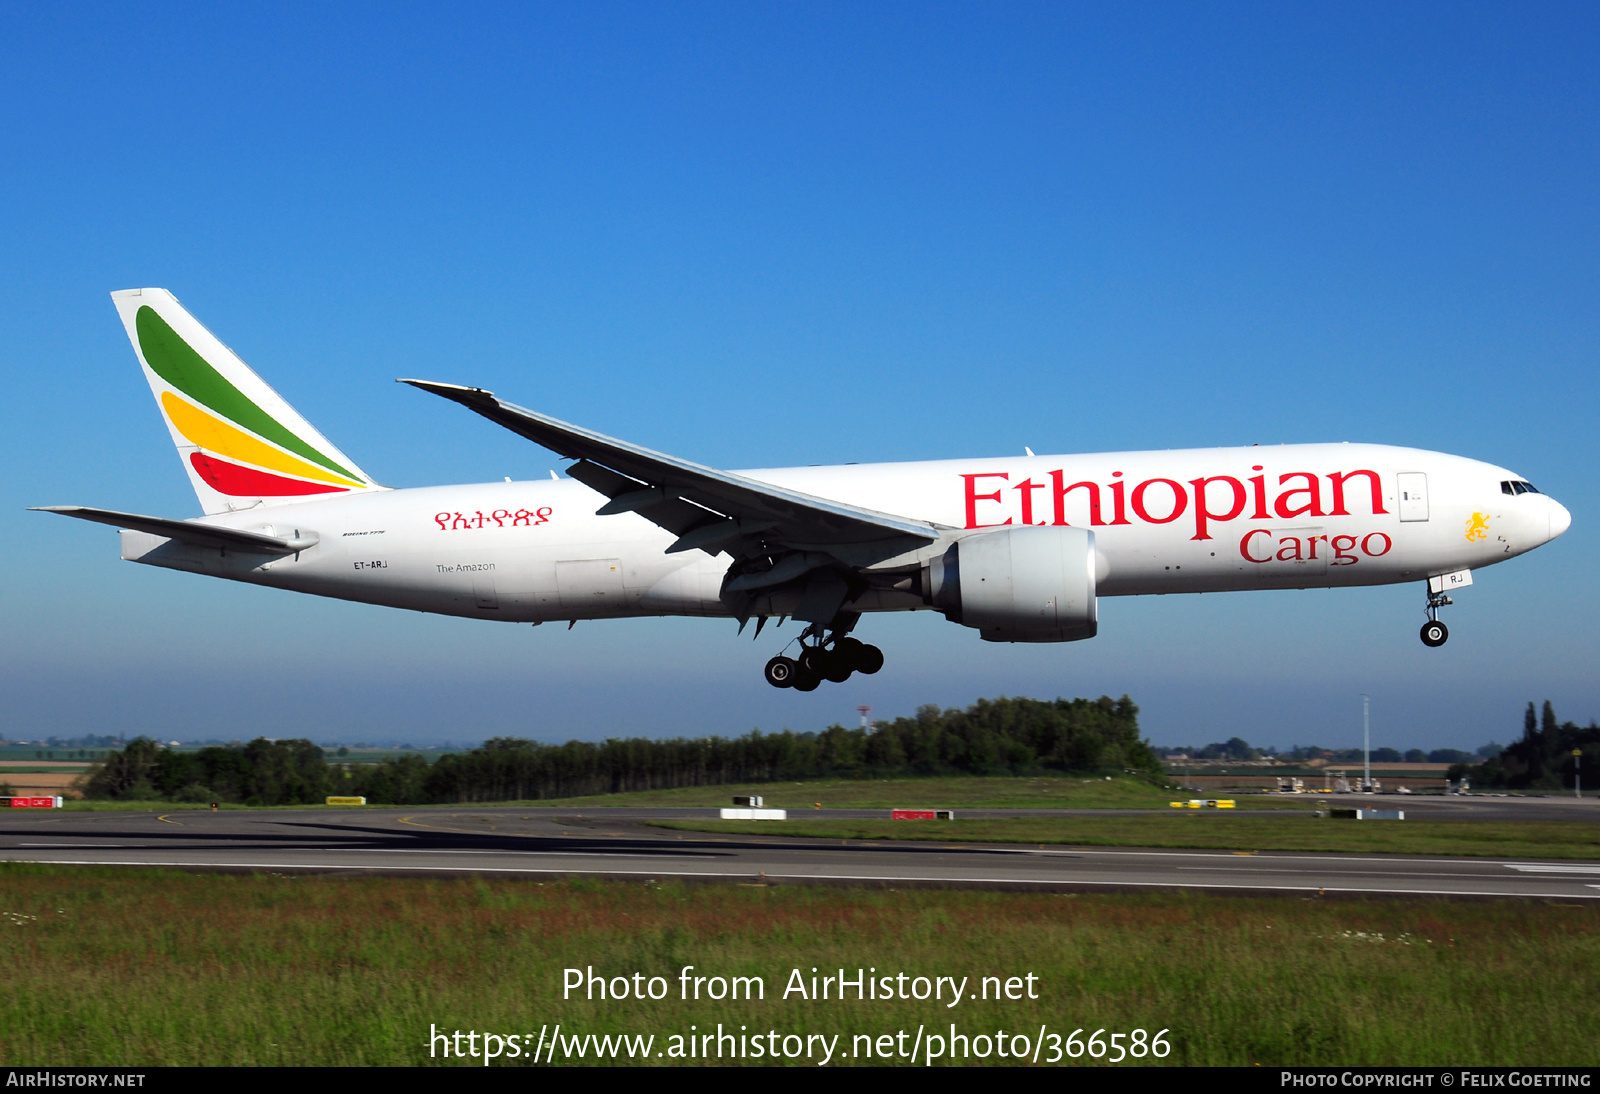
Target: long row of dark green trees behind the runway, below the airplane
(999, 737)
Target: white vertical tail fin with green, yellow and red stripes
(242, 445)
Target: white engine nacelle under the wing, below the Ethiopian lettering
(1018, 585)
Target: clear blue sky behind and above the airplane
(794, 234)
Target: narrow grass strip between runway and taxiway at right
(1220, 831)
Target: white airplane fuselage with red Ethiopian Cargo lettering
(1166, 522)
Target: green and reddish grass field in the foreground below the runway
(151, 968)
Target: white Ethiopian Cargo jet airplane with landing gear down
(1020, 549)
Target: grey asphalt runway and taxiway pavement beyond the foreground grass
(617, 844)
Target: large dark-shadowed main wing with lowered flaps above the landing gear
(705, 508)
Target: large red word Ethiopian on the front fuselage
(1206, 501)
